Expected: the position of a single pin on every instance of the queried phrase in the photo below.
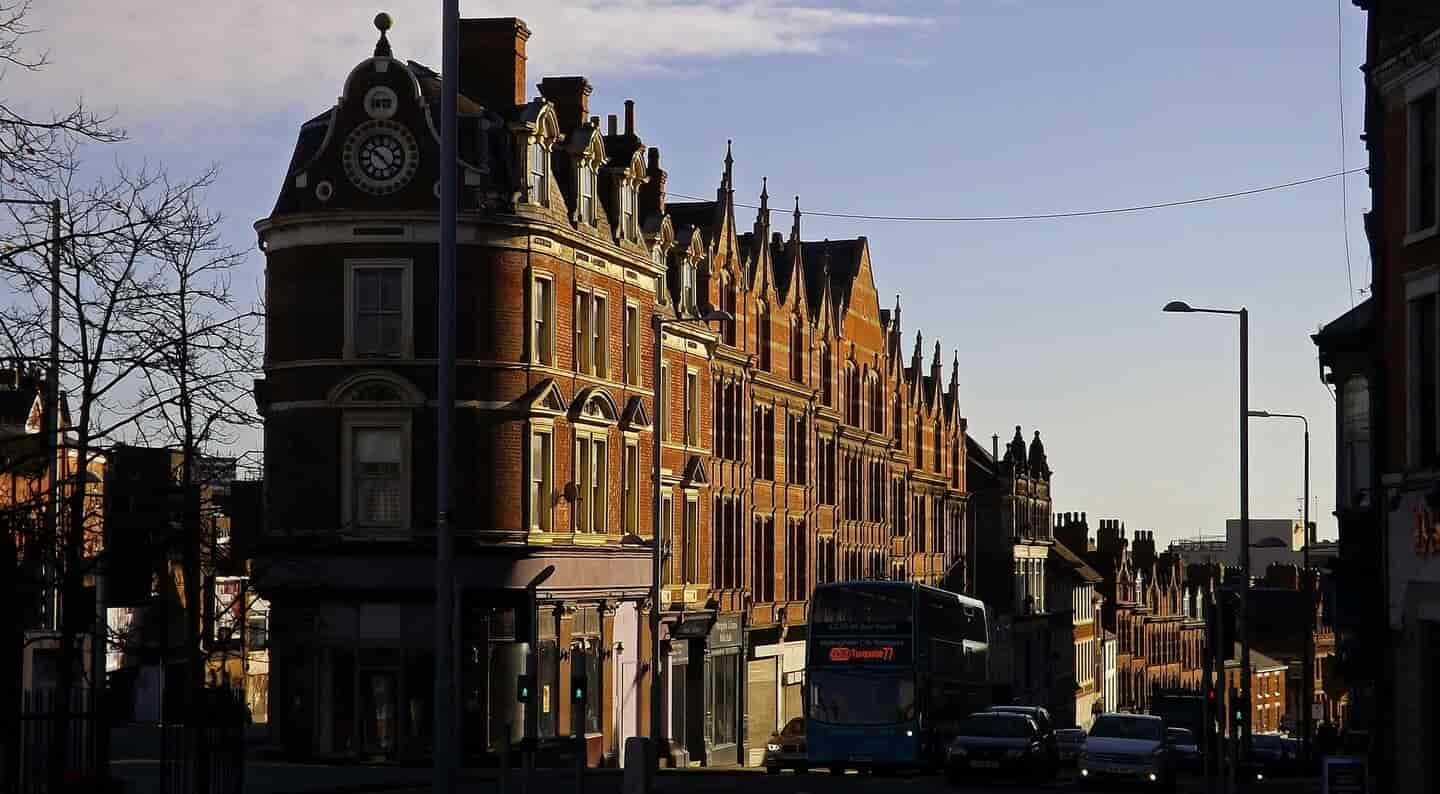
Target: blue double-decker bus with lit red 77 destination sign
(892, 669)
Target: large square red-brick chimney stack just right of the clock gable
(493, 61)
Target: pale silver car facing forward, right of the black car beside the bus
(1130, 747)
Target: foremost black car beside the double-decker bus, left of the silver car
(999, 743)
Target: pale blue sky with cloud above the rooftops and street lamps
(908, 107)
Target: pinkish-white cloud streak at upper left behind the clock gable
(158, 60)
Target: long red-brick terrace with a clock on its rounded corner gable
(804, 443)
